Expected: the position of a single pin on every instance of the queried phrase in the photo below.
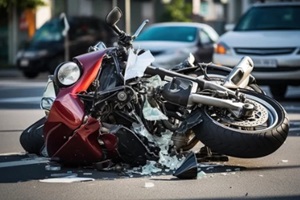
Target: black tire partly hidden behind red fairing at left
(32, 138)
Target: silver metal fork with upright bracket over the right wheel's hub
(182, 90)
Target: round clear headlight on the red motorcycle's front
(67, 73)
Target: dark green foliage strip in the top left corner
(21, 4)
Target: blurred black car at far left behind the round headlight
(47, 47)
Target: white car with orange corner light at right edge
(270, 34)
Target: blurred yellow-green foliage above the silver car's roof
(178, 10)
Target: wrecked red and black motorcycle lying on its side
(111, 104)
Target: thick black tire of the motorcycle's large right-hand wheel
(234, 142)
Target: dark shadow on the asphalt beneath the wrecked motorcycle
(21, 168)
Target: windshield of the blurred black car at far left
(51, 31)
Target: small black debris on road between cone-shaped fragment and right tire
(207, 155)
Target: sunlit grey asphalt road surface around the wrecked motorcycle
(23, 176)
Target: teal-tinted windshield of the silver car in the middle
(168, 33)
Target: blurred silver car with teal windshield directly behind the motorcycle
(172, 42)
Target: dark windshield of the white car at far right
(270, 18)
